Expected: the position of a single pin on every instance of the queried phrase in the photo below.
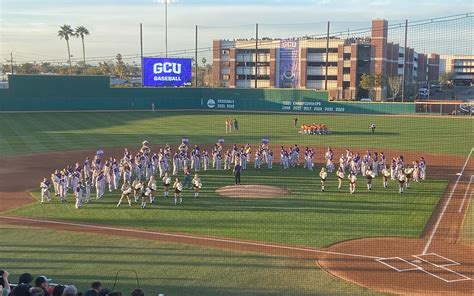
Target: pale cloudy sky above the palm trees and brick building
(28, 28)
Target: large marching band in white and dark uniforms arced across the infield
(138, 176)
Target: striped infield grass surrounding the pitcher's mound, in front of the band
(305, 217)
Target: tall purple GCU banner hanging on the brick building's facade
(288, 66)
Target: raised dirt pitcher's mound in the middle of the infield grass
(252, 191)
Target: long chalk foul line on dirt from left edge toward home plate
(237, 242)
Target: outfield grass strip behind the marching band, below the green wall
(39, 132)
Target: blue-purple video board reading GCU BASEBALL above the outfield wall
(167, 72)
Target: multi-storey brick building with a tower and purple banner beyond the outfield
(302, 63)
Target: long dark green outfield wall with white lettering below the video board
(70, 93)
